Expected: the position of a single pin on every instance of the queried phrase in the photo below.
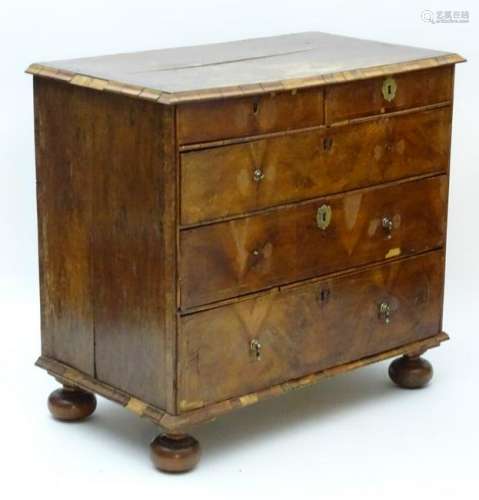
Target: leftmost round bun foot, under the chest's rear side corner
(71, 403)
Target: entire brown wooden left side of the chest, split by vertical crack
(107, 187)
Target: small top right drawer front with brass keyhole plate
(379, 95)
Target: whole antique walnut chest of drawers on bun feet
(222, 224)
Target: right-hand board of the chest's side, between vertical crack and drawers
(135, 247)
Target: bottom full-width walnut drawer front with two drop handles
(307, 328)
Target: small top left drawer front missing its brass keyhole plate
(239, 117)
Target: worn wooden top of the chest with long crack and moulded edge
(242, 67)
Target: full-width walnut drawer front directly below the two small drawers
(230, 180)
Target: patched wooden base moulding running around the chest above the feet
(71, 376)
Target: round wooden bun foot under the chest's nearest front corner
(175, 452)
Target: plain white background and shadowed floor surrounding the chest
(355, 436)
